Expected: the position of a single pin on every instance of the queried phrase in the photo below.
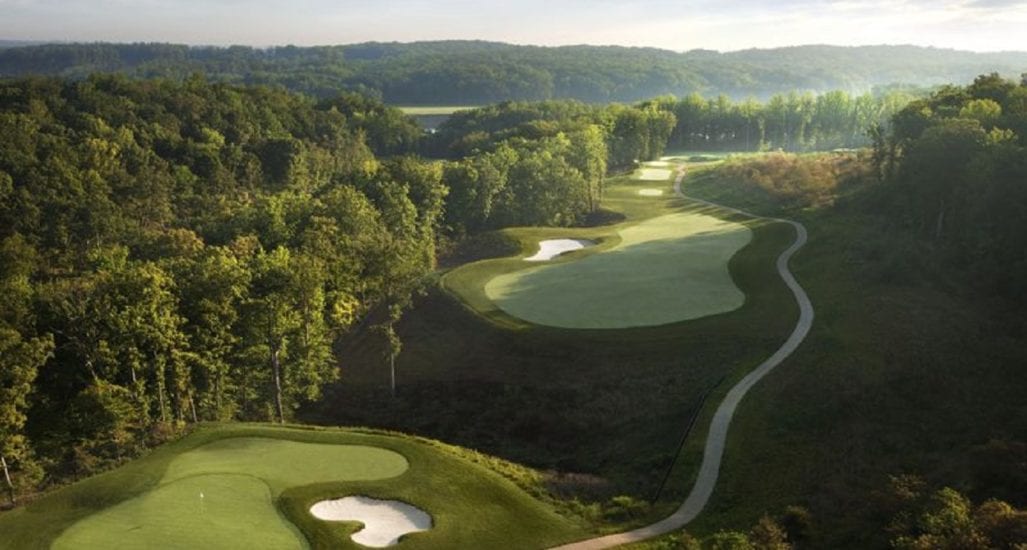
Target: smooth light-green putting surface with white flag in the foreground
(222, 495)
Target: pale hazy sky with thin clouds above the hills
(978, 25)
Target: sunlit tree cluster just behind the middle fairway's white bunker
(541, 164)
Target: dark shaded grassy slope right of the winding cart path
(906, 371)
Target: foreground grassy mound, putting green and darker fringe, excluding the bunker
(258, 484)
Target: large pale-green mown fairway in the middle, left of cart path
(668, 269)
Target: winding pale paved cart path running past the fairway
(717, 437)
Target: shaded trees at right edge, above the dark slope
(957, 165)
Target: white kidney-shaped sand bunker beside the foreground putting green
(385, 522)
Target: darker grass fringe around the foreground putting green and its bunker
(449, 484)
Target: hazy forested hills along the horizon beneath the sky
(476, 72)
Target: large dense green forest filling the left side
(185, 252)
